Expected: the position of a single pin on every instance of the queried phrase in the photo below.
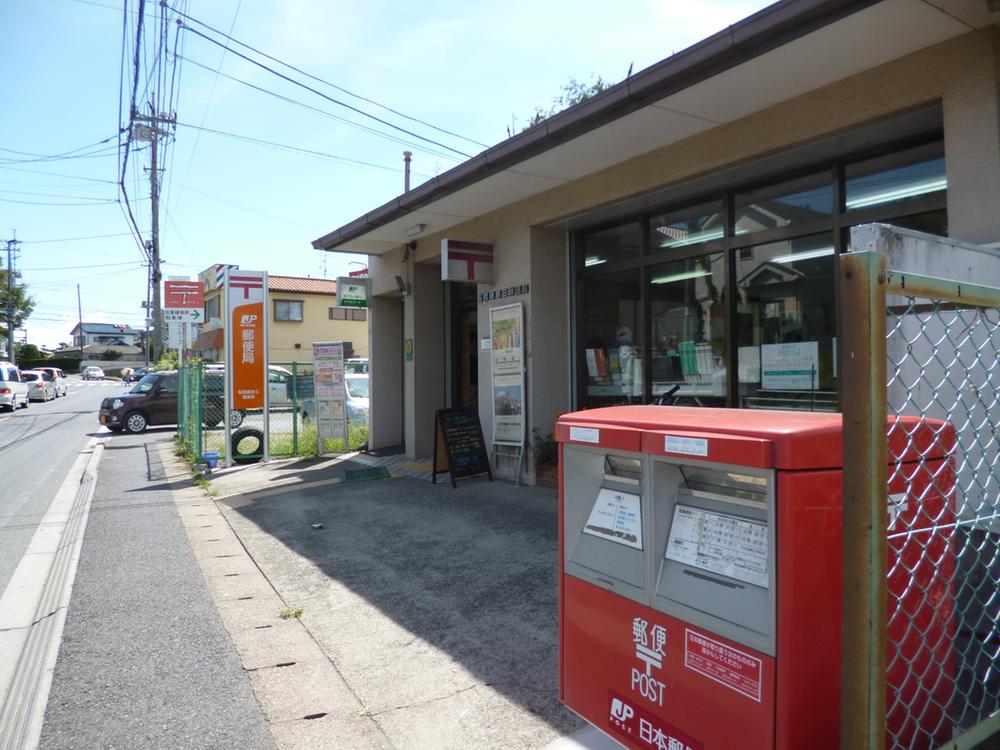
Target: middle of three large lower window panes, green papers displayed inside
(687, 313)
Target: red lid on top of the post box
(800, 440)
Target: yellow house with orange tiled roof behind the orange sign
(301, 310)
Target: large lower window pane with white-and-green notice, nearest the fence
(786, 345)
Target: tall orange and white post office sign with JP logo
(246, 305)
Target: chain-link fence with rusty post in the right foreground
(941, 536)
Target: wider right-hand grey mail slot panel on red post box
(714, 538)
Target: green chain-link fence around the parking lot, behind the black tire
(291, 416)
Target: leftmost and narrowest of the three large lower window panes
(613, 340)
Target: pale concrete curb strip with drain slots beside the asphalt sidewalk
(304, 698)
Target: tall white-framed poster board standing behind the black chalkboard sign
(507, 333)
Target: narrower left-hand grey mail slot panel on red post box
(604, 517)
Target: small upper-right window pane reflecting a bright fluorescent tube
(896, 177)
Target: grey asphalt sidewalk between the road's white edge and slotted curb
(144, 661)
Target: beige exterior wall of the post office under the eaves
(962, 74)
